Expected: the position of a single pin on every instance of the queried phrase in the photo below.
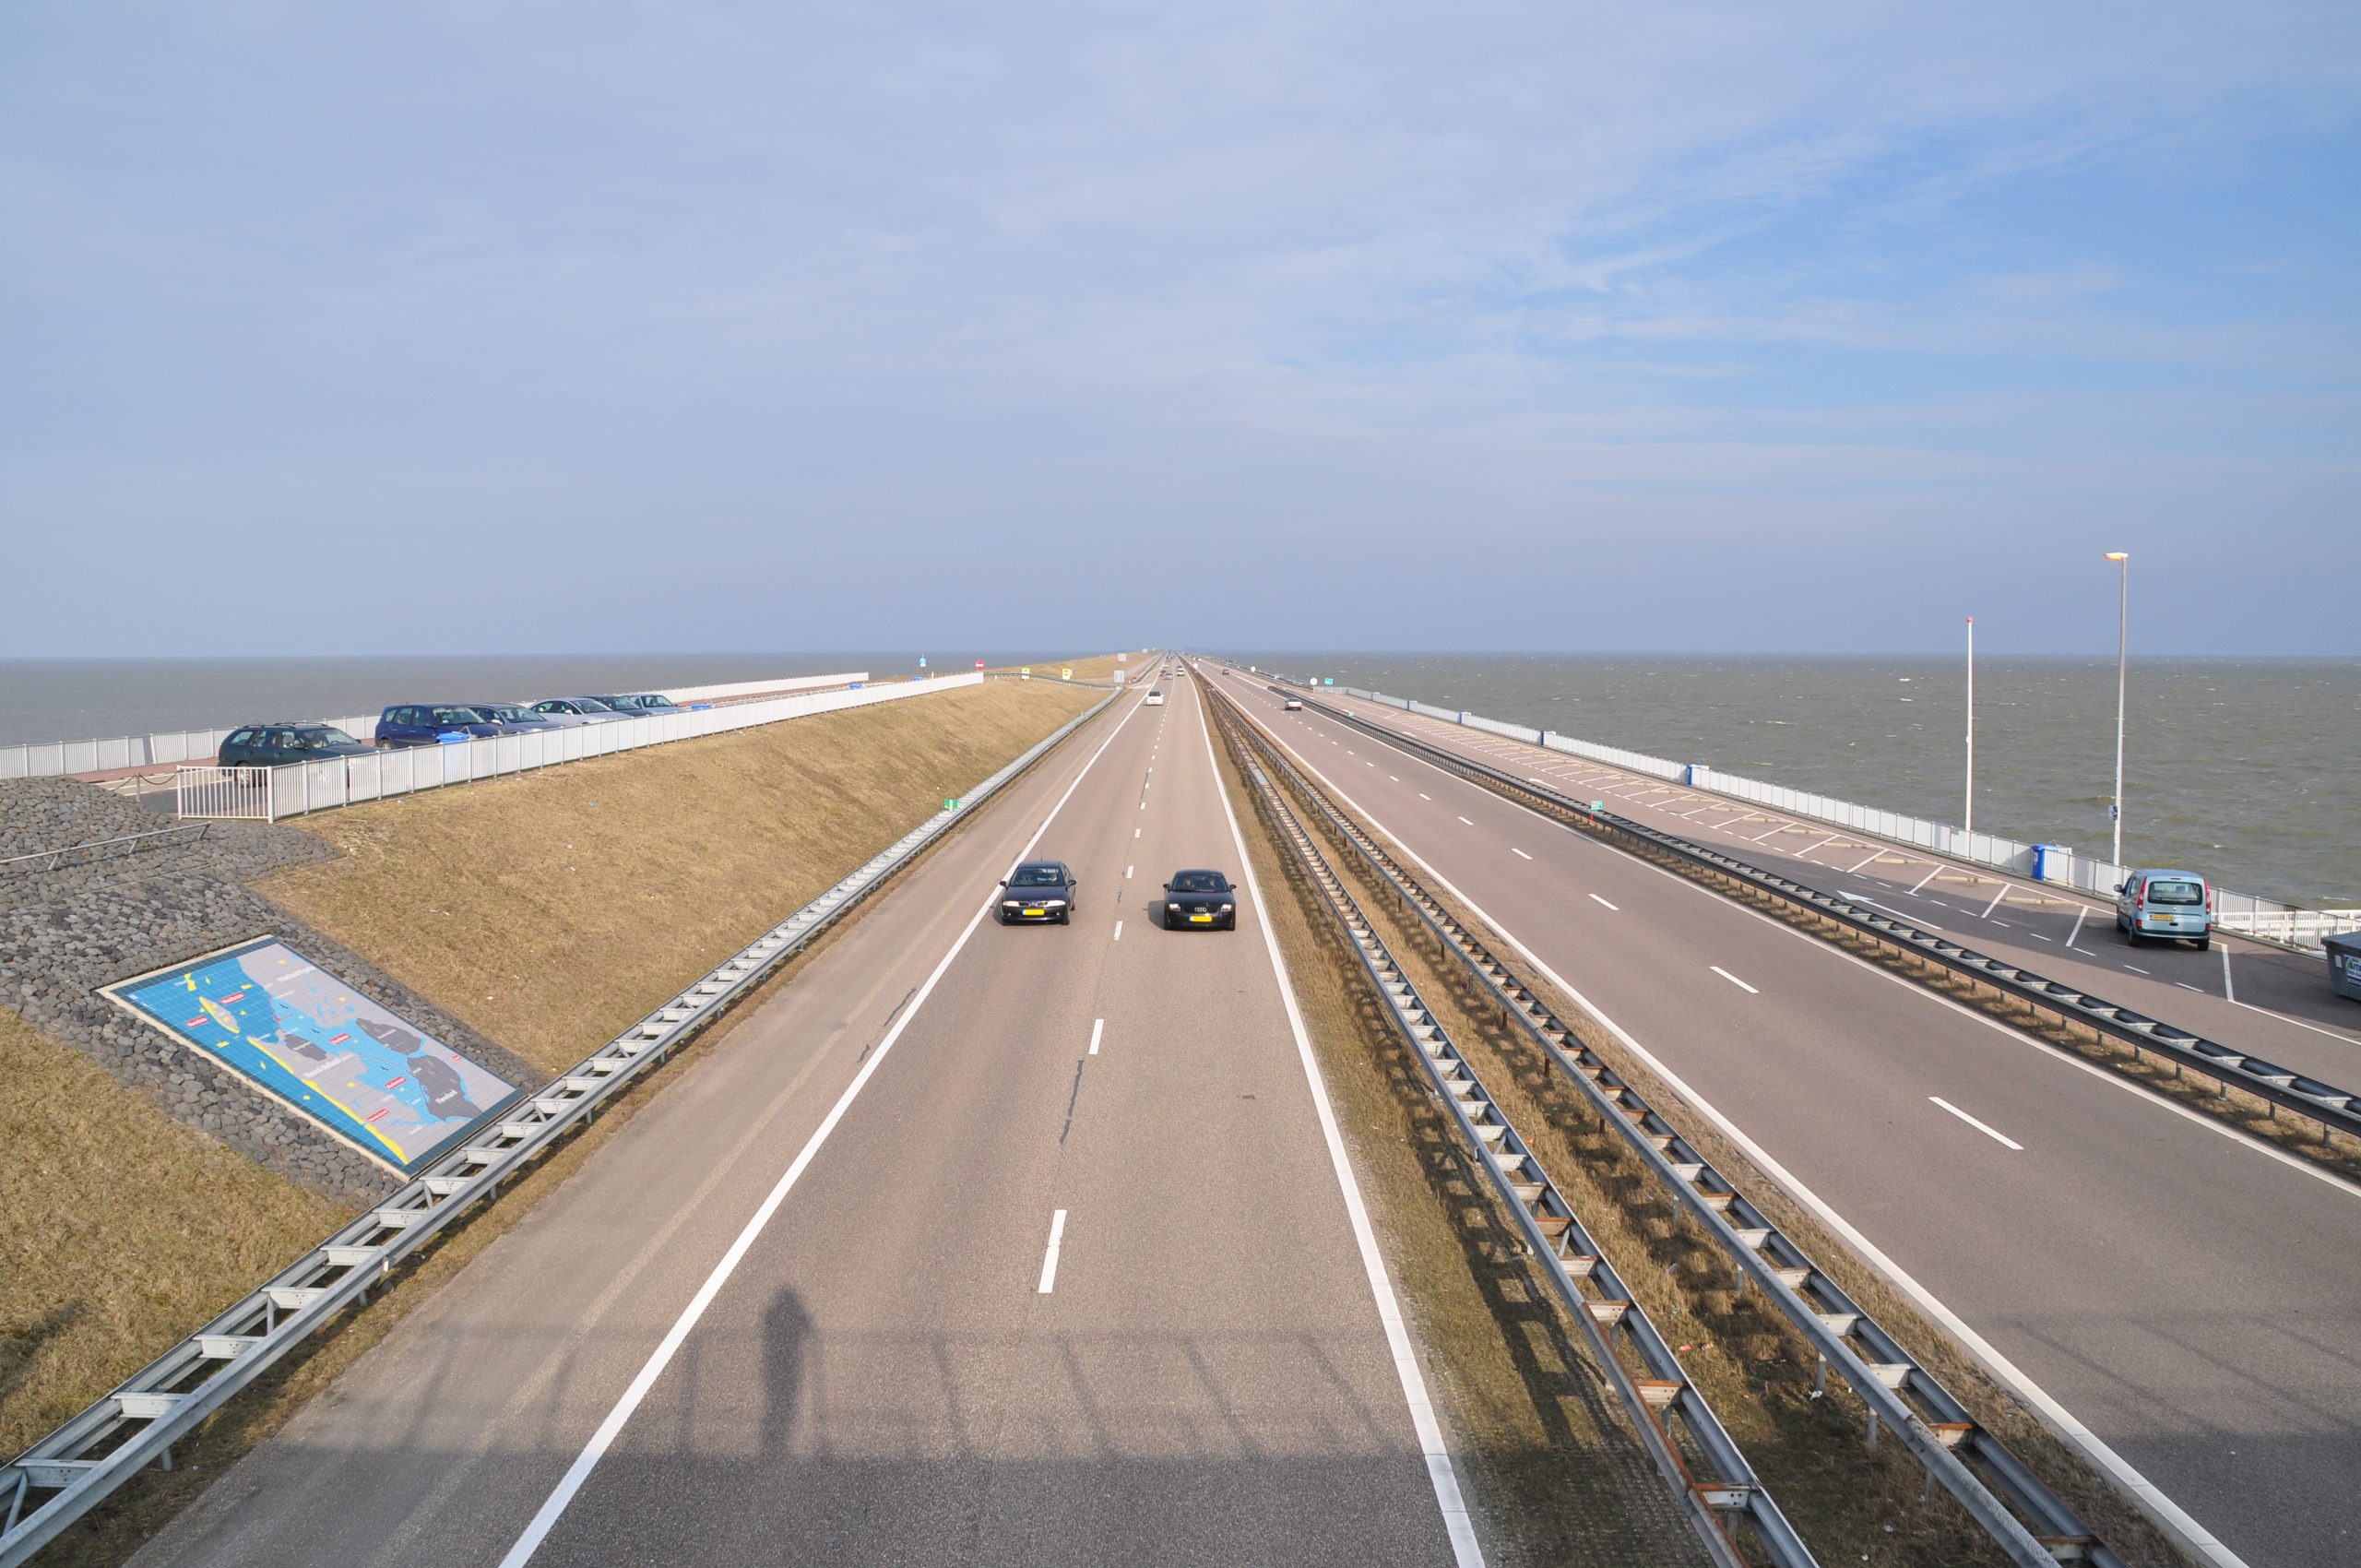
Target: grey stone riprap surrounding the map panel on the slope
(70, 932)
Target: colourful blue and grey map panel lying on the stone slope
(315, 1043)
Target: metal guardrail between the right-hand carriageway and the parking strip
(2272, 1085)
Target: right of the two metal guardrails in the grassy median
(1899, 1392)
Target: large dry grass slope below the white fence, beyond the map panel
(556, 908)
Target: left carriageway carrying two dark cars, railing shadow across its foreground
(972, 1243)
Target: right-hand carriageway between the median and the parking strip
(2183, 1293)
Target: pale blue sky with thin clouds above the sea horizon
(1581, 327)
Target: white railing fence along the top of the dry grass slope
(308, 788)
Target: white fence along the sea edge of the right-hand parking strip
(2246, 913)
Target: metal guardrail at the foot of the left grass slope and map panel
(74, 1468)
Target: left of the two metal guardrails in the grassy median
(1661, 1394)
